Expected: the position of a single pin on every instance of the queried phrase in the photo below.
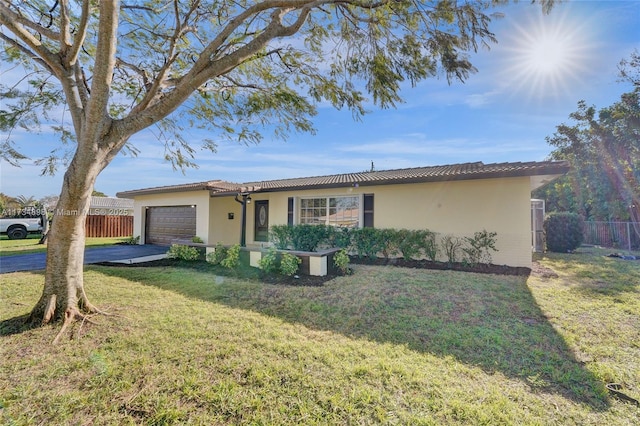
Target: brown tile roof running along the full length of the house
(465, 171)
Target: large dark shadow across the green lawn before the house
(487, 321)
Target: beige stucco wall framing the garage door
(199, 199)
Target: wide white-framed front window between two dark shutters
(334, 211)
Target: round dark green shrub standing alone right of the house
(563, 232)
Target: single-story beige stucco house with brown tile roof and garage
(457, 199)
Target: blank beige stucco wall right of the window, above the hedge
(462, 208)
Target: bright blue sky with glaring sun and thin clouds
(526, 85)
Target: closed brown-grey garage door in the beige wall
(165, 224)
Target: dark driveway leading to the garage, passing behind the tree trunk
(116, 253)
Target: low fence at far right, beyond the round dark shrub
(621, 235)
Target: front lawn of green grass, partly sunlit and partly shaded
(384, 346)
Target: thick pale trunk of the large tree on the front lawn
(63, 296)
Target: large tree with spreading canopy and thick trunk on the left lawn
(236, 67)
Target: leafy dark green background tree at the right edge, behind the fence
(603, 148)
